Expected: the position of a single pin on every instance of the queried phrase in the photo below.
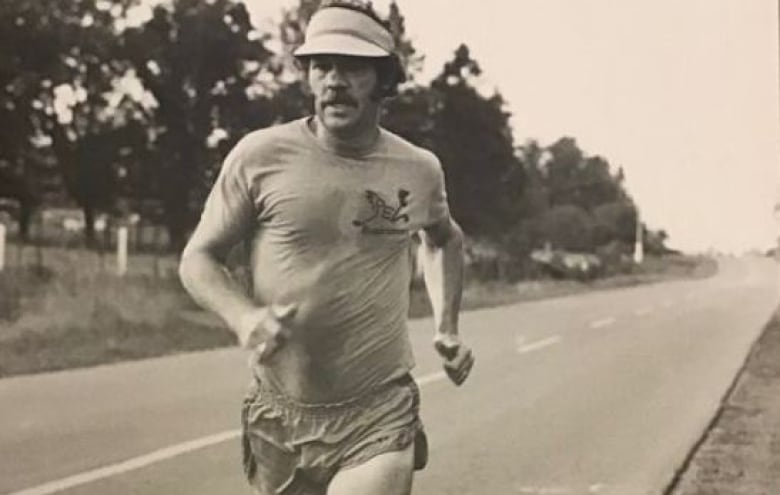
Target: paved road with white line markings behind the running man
(601, 393)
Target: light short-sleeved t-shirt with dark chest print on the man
(330, 233)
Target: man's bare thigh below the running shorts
(386, 474)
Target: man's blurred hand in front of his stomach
(267, 330)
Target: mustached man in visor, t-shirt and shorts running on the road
(328, 205)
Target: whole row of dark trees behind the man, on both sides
(148, 111)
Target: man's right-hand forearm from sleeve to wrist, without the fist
(442, 264)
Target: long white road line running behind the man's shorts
(155, 456)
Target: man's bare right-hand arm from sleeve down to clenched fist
(442, 262)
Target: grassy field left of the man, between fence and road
(72, 310)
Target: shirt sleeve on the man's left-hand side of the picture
(229, 211)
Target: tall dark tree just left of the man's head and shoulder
(199, 61)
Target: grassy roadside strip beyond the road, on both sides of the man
(62, 308)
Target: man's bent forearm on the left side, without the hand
(211, 286)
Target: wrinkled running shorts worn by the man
(293, 448)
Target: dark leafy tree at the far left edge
(59, 67)
